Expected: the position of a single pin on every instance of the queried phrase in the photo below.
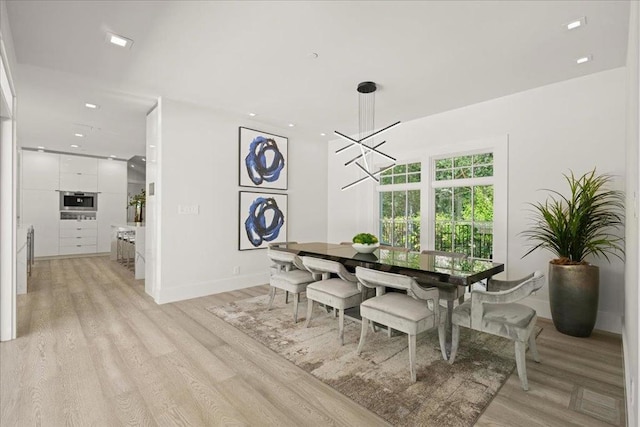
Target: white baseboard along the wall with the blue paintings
(211, 287)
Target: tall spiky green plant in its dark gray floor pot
(584, 223)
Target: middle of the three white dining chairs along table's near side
(340, 292)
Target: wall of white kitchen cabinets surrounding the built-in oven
(45, 174)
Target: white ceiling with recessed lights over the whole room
(245, 56)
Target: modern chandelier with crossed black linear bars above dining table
(366, 133)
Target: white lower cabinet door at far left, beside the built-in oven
(40, 208)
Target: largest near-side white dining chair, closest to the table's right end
(413, 312)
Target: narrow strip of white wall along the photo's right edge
(631, 327)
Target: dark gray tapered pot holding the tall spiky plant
(573, 295)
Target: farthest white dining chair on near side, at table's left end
(290, 275)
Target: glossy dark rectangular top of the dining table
(454, 271)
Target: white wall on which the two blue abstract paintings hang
(199, 165)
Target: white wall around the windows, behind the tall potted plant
(577, 124)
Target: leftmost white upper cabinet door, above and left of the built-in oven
(40, 171)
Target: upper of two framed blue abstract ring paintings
(263, 160)
